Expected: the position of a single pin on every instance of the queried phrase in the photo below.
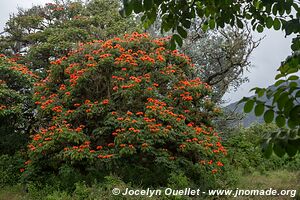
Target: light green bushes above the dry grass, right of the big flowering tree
(245, 153)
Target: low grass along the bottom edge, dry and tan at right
(278, 180)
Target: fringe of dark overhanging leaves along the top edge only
(178, 14)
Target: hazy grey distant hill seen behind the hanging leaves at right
(249, 118)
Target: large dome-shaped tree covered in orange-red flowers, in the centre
(124, 101)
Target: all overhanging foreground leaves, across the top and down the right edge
(279, 15)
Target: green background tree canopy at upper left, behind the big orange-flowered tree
(43, 33)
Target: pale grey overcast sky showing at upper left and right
(265, 59)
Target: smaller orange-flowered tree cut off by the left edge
(16, 82)
